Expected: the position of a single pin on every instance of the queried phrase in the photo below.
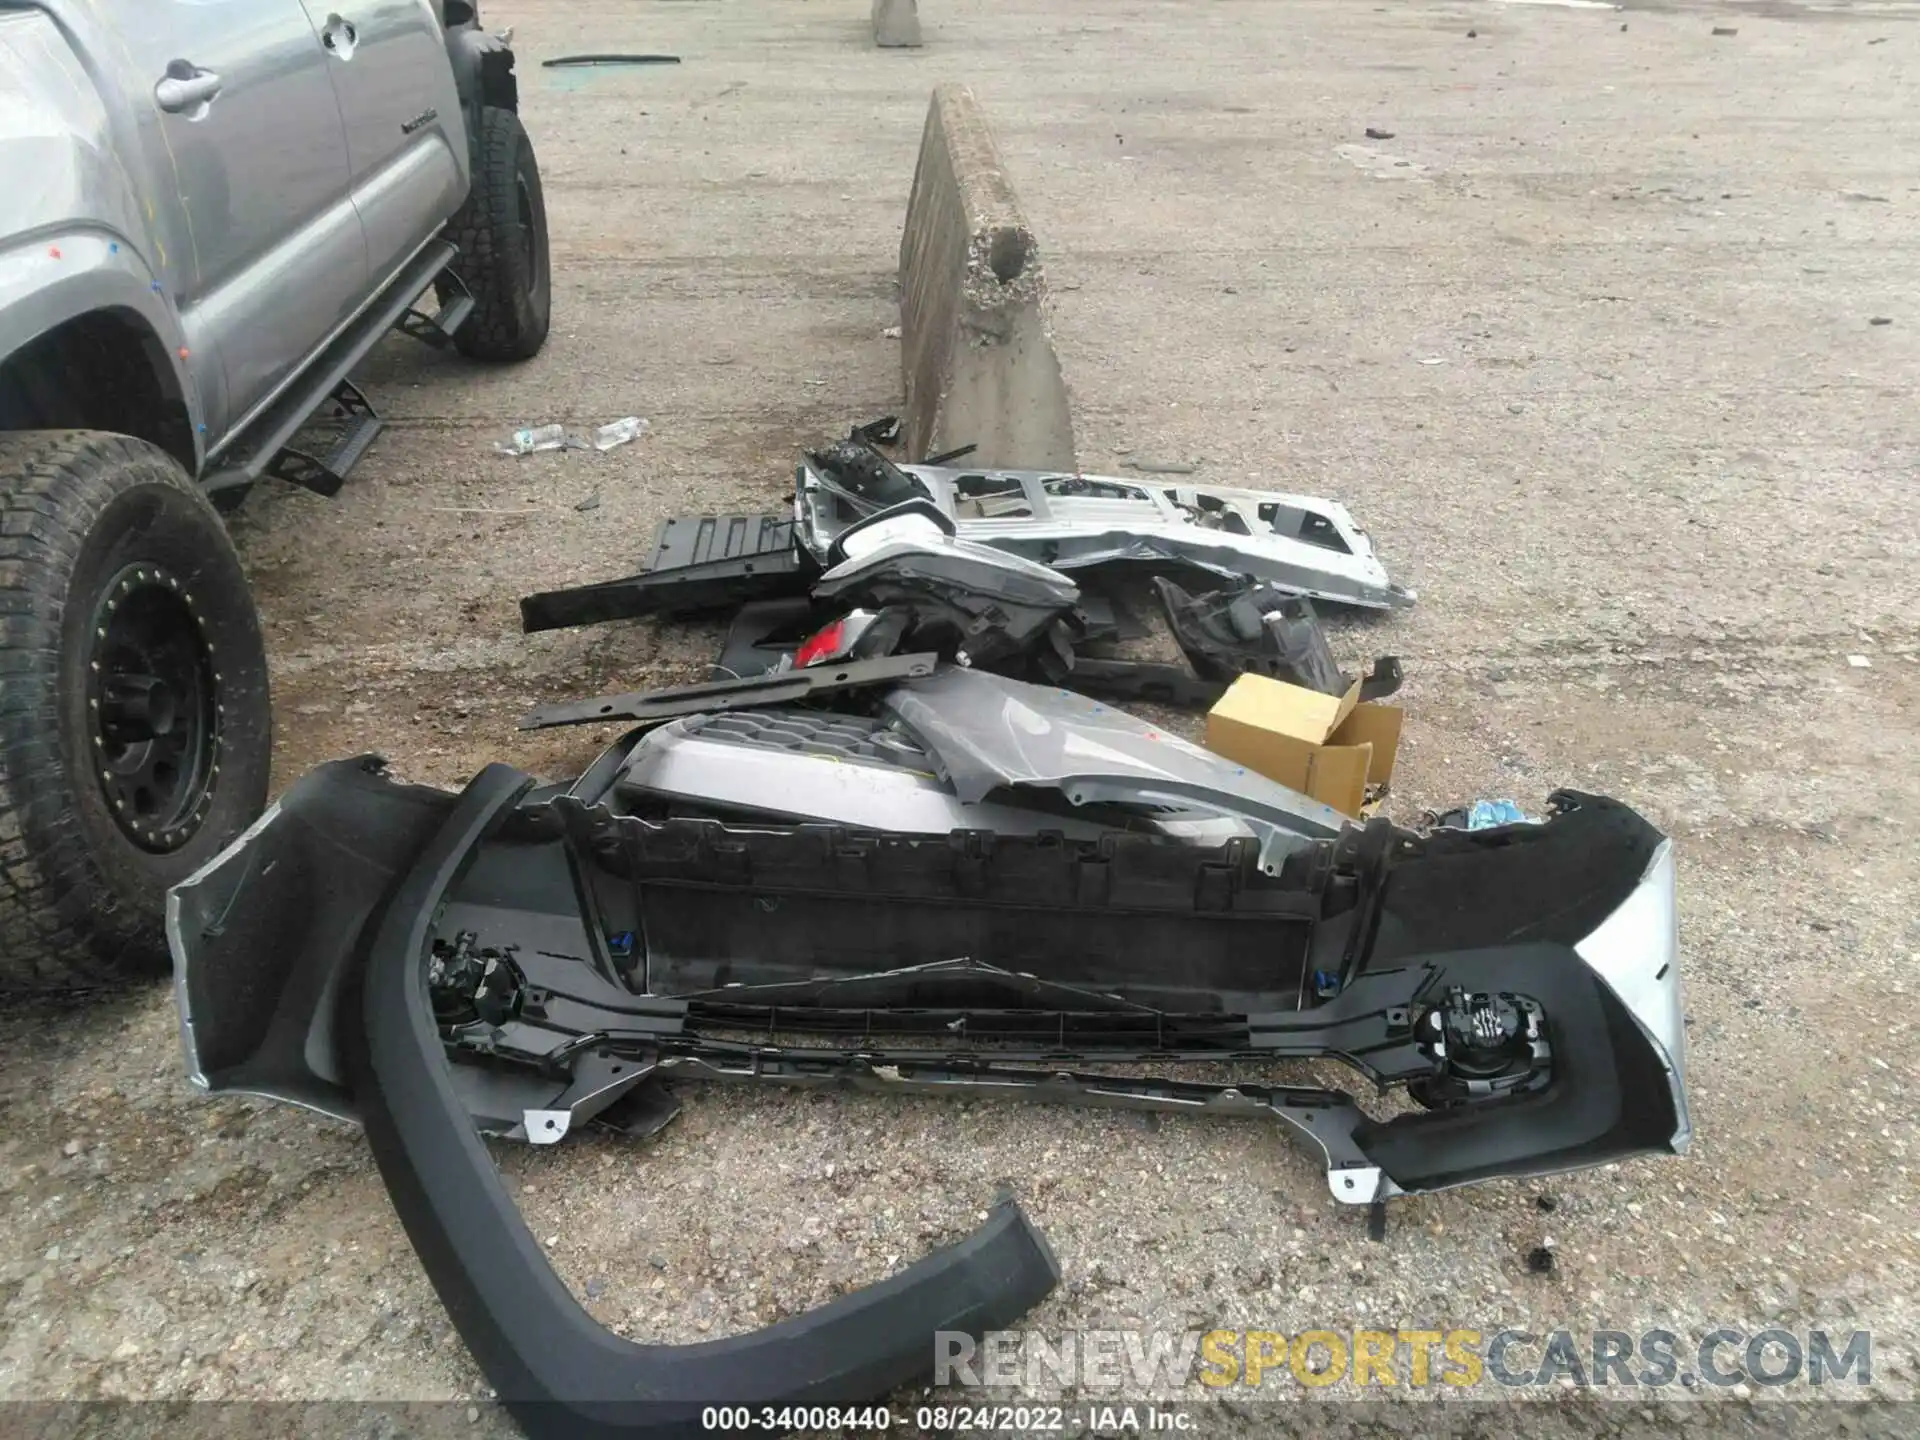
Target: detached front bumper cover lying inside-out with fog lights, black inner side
(1518, 984)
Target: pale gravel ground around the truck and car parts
(1595, 348)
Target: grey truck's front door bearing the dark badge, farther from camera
(402, 112)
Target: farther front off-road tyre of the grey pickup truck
(502, 233)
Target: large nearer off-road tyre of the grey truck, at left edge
(82, 903)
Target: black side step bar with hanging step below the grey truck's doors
(266, 444)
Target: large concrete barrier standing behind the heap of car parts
(976, 350)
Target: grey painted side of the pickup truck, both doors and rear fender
(187, 162)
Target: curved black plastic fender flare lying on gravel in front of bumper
(552, 1364)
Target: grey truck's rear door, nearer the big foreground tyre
(249, 112)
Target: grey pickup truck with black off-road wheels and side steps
(212, 212)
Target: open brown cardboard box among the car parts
(1324, 746)
